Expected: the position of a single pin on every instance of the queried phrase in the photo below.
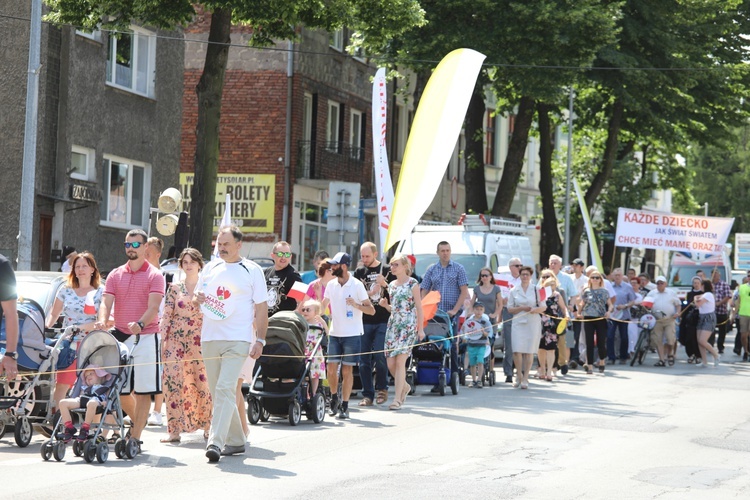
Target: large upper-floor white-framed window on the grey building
(131, 61)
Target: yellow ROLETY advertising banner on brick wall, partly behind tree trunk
(253, 200)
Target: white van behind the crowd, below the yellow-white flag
(476, 242)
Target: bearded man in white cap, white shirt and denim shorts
(348, 299)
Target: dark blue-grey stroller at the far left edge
(26, 402)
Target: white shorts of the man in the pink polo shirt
(145, 373)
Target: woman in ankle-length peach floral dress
(184, 375)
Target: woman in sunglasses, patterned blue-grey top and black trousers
(594, 307)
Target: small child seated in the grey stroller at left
(93, 395)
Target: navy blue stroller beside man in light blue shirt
(430, 362)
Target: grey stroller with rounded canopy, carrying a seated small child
(101, 349)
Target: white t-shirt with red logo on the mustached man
(232, 290)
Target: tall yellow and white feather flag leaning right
(437, 124)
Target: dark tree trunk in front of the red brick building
(209, 89)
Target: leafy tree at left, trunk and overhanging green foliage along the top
(376, 20)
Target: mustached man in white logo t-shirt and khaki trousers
(231, 292)
